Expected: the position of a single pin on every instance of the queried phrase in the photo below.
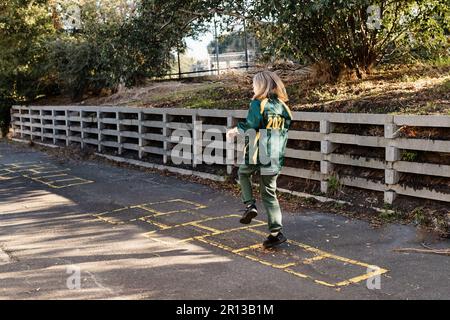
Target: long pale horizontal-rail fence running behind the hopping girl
(320, 148)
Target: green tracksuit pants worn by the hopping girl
(268, 187)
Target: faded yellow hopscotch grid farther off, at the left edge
(38, 171)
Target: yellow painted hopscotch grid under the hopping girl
(243, 252)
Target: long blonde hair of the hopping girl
(266, 83)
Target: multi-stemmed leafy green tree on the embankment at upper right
(337, 32)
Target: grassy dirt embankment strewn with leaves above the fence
(413, 89)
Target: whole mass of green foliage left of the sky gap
(42, 53)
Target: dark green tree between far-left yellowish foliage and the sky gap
(125, 46)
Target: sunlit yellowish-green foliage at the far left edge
(25, 27)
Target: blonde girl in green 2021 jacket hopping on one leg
(269, 119)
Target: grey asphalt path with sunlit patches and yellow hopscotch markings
(138, 235)
